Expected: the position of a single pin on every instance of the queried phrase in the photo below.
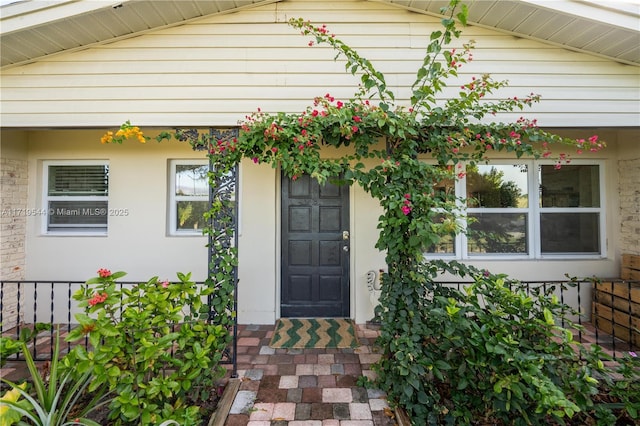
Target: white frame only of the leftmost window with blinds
(44, 230)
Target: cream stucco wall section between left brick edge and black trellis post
(137, 242)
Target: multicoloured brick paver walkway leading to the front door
(312, 387)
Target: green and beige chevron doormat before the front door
(314, 333)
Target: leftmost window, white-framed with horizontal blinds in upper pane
(76, 196)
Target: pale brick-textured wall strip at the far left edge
(13, 190)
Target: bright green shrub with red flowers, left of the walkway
(152, 345)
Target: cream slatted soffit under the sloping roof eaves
(30, 29)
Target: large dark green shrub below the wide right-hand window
(493, 353)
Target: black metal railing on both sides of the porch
(608, 313)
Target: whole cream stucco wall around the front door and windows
(139, 243)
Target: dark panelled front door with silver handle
(315, 249)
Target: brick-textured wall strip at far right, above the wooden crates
(629, 173)
